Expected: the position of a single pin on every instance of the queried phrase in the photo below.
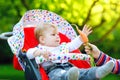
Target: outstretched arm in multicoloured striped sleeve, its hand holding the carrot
(101, 58)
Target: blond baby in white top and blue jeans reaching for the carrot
(60, 69)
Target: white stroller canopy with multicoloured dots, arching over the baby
(33, 17)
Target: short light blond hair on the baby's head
(41, 28)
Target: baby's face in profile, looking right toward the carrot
(51, 37)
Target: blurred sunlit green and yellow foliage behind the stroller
(102, 15)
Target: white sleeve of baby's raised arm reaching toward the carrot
(75, 44)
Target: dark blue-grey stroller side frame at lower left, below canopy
(30, 66)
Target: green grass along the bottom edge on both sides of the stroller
(7, 72)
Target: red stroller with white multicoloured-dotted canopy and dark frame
(23, 38)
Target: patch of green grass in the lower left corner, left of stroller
(7, 72)
